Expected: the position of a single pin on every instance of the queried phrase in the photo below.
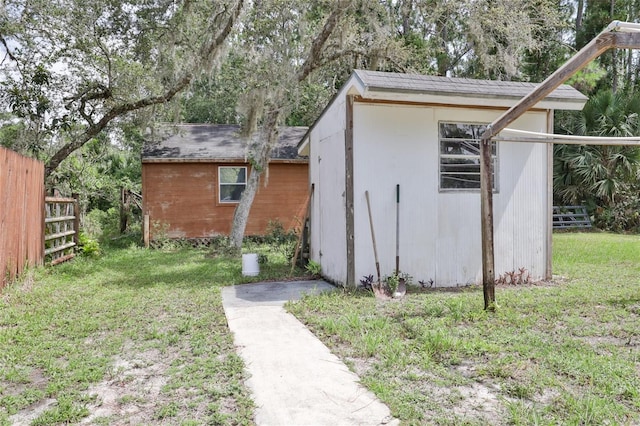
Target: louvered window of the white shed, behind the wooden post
(460, 156)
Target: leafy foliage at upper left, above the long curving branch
(72, 69)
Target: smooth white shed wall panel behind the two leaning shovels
(395, 145)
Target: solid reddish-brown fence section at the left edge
(21, 213)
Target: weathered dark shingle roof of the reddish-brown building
(214, 142)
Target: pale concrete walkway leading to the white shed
(294, 378)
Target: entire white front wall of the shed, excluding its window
(439, 230)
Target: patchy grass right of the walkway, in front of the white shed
(560, 353)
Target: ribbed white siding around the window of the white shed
(519, 210)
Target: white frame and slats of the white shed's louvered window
(443, 156)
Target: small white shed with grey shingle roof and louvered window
(422, 133)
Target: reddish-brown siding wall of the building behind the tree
(183, 199)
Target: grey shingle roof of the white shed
(415, 83)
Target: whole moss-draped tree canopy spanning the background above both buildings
(75, 72)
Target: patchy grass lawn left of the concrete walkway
(133, 337)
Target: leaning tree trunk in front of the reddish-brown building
(259, 163)
